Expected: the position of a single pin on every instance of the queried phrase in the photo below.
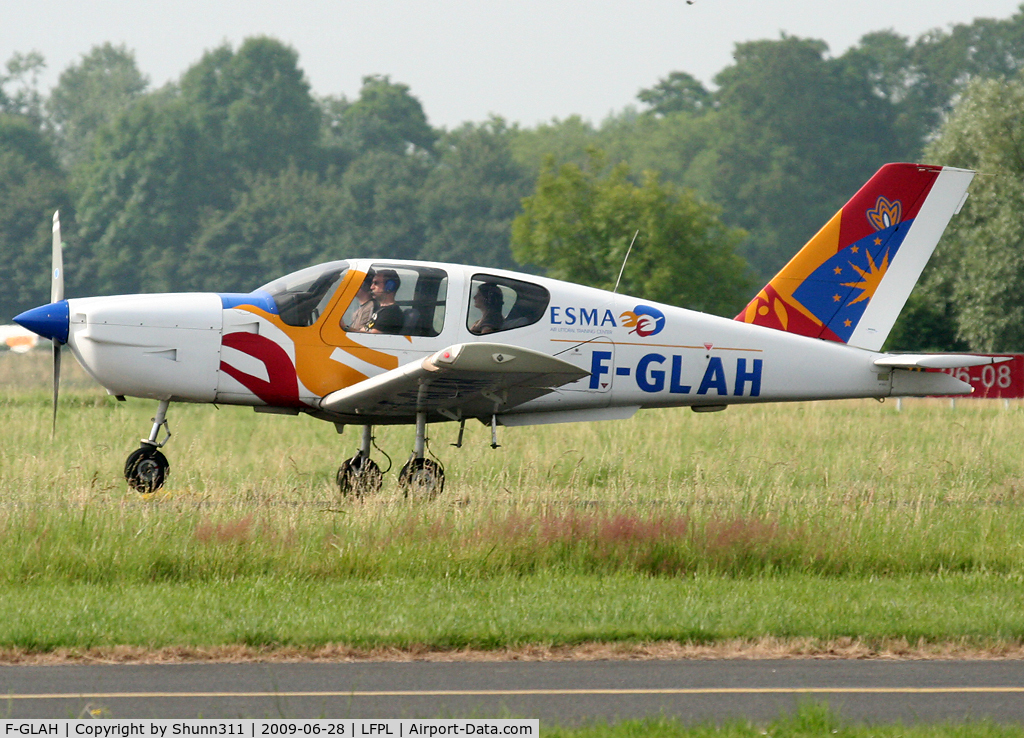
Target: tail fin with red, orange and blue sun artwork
(854, 278)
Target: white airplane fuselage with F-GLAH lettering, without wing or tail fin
(241, 350)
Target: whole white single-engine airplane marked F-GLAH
(449, 343)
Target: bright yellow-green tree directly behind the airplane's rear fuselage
(579, 225)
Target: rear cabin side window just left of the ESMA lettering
(498, 303)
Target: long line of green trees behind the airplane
(237, 173)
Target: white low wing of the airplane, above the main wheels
(466, 380)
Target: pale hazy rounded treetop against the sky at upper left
(92, 94)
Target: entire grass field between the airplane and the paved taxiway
(818, 524)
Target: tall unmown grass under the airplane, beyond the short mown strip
(828, 490)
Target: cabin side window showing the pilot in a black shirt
(400, 300)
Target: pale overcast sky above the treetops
(527, 61)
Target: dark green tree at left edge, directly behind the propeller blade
(32, 187)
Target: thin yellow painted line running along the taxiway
(533, 692)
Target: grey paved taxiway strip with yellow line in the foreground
(567, 692)
